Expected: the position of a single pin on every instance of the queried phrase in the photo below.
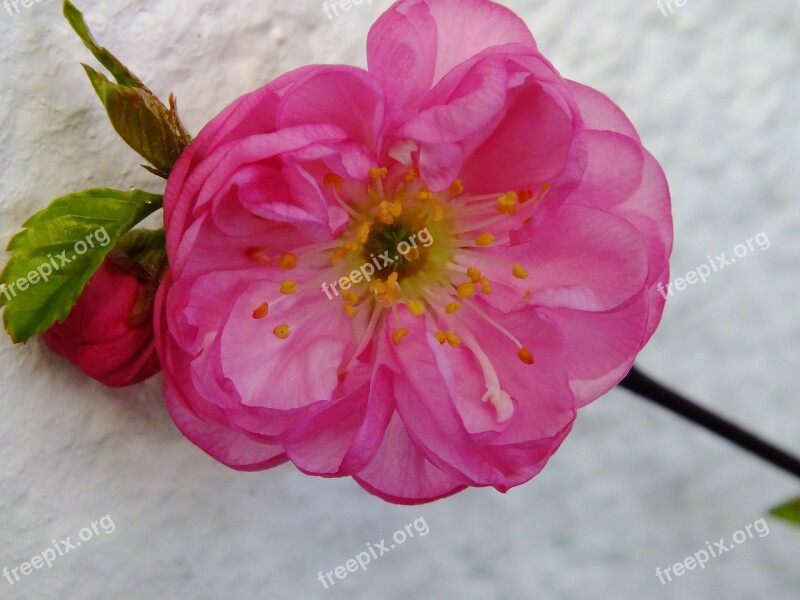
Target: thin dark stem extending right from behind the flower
(639, 383)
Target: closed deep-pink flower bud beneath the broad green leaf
(109, 332)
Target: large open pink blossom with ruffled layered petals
(462, 364)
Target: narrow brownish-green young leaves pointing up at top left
(139, 117)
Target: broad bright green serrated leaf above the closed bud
(58, 251)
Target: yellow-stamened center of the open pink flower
(408, 246)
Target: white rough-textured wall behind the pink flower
(714, 89)
